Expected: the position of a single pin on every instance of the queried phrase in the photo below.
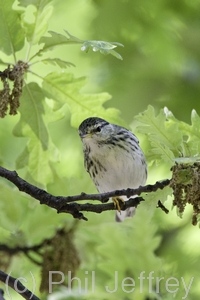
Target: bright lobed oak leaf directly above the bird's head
(65, 89)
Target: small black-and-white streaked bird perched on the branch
(113, 159)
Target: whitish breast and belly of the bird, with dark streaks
(112, 167)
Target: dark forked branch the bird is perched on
(68, 204)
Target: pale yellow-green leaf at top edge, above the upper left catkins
(35, 30)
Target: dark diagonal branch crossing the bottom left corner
(16, 285)
